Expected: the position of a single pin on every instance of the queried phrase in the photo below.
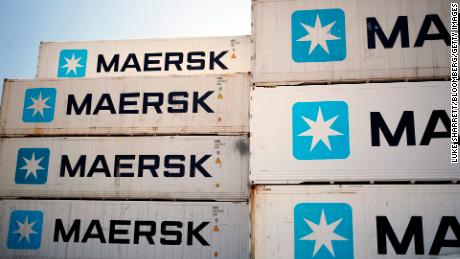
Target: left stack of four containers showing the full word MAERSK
(175, 128)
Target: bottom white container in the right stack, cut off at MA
(346, 222)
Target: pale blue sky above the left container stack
(25, 23)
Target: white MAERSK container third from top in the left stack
(200, 167)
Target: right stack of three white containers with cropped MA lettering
(378, 133)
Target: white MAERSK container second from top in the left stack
(127, 106)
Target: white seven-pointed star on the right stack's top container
(318, 35)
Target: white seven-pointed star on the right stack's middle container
(320, 130)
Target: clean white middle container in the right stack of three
(359, 132)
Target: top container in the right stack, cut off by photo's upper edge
(309, 41)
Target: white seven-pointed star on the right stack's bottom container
(323, 234)
